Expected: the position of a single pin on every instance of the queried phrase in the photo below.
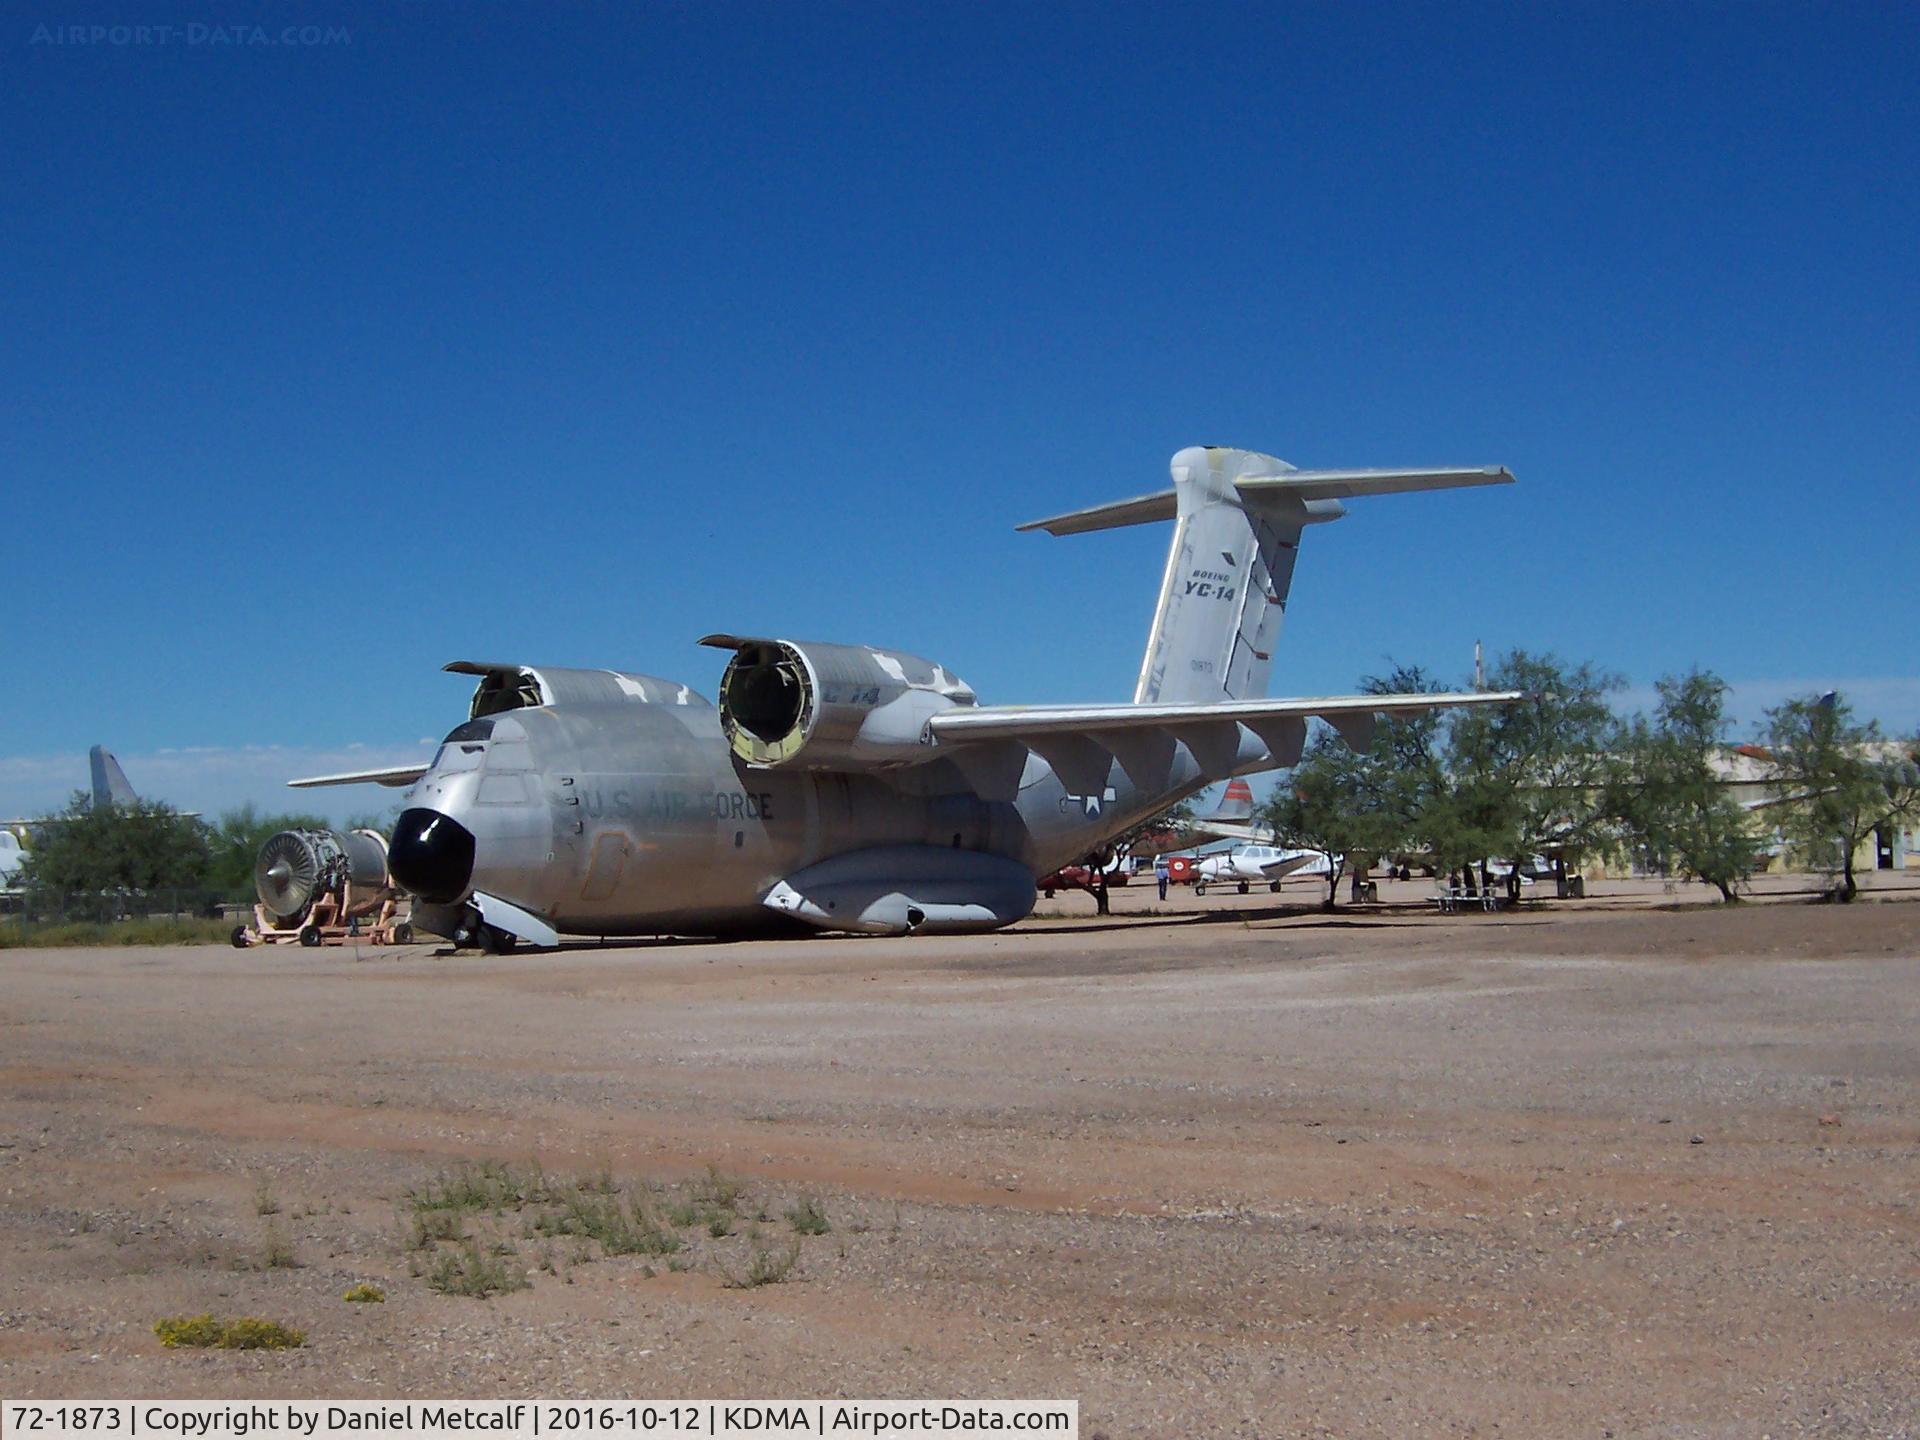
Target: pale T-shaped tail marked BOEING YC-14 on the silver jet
(1237, 523)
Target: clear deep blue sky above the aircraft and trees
(577, 333)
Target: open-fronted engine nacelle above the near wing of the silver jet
(830, 708)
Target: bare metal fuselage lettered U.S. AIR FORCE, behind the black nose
(633, 817)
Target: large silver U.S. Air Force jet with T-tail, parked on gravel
(852, 788)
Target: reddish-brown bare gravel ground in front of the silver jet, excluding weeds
(1237, 1172)
